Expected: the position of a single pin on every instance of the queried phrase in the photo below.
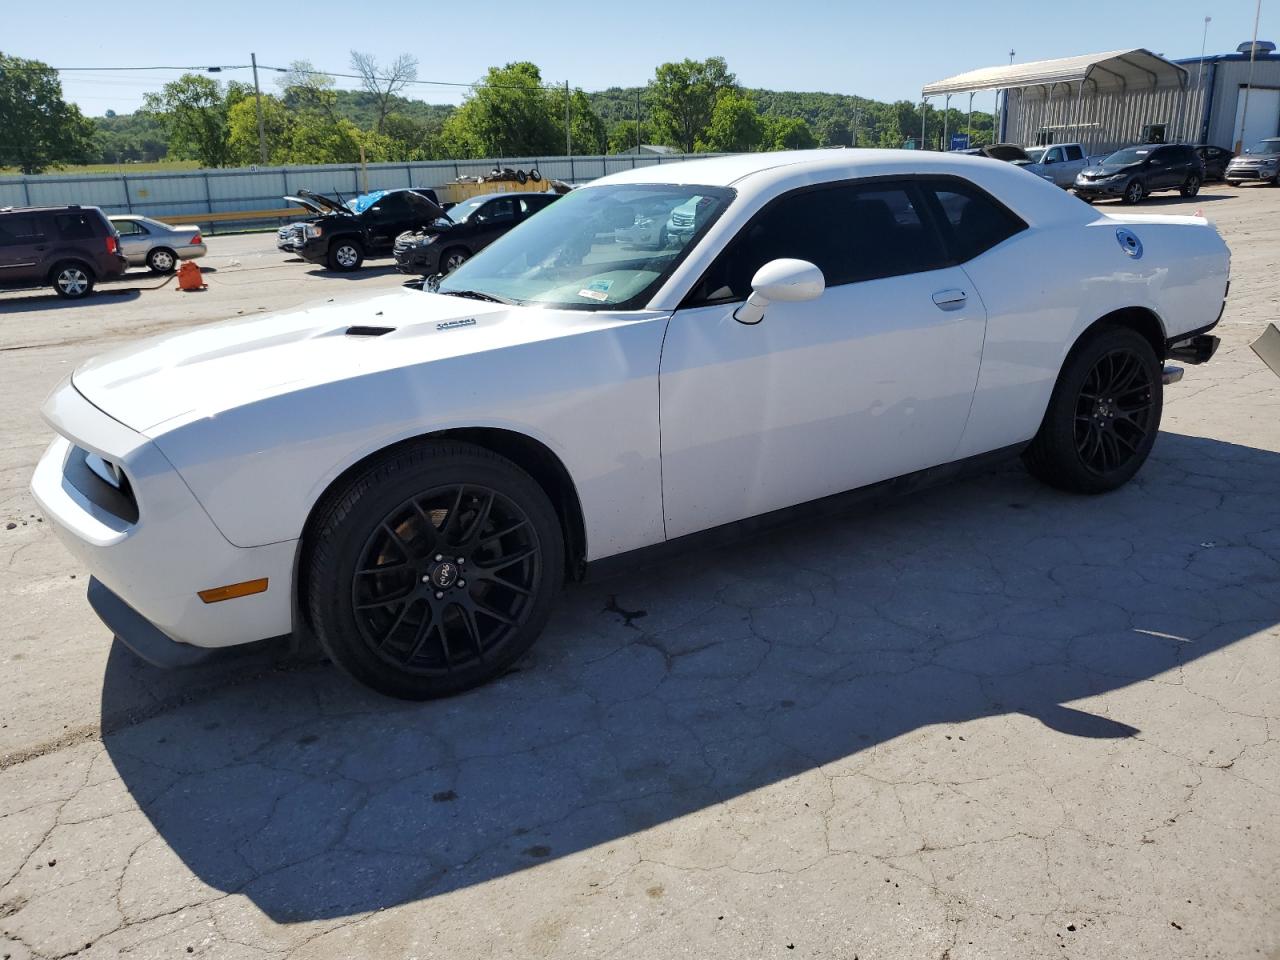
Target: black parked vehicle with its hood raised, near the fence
(342, 235)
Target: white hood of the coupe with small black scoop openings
(162, 383)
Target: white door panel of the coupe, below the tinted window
(749, 413)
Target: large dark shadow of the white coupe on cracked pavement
(669, 692)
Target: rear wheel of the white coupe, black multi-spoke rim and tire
(1103, 417)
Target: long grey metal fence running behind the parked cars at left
(190, 194)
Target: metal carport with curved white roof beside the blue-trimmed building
(1103, 100)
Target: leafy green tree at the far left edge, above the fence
(38, 129)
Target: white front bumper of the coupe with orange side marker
(157, 556)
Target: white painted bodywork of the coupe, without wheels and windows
(230, 435)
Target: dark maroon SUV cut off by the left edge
(66, 248)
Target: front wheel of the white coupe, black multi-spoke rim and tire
(433, 570)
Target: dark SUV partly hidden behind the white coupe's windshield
(469, 227)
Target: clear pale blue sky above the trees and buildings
(881, 51)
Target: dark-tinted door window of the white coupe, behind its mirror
(851, 232)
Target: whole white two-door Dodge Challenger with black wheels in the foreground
(413, 477)
